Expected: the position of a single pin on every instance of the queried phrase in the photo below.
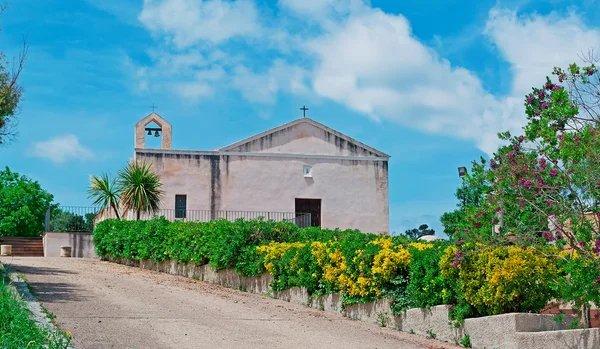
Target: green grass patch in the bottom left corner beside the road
(19, 329)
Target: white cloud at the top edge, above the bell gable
(189, 22)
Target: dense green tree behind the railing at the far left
(23, 205)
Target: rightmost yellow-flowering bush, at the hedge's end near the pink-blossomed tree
(498, 280)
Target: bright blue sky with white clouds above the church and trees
(430, 83)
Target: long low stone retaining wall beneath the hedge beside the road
(507, 331)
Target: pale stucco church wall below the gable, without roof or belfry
(353, 193)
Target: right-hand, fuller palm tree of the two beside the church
(141, 189)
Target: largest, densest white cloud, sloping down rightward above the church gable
(372, 63)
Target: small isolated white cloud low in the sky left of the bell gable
(61, 149)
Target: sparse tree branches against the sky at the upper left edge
(10, 92)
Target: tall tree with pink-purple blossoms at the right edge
(544, 184)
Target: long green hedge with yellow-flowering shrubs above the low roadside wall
(475, 280)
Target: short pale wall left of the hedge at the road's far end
(81, 244)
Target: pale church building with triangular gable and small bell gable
(302, 167)
